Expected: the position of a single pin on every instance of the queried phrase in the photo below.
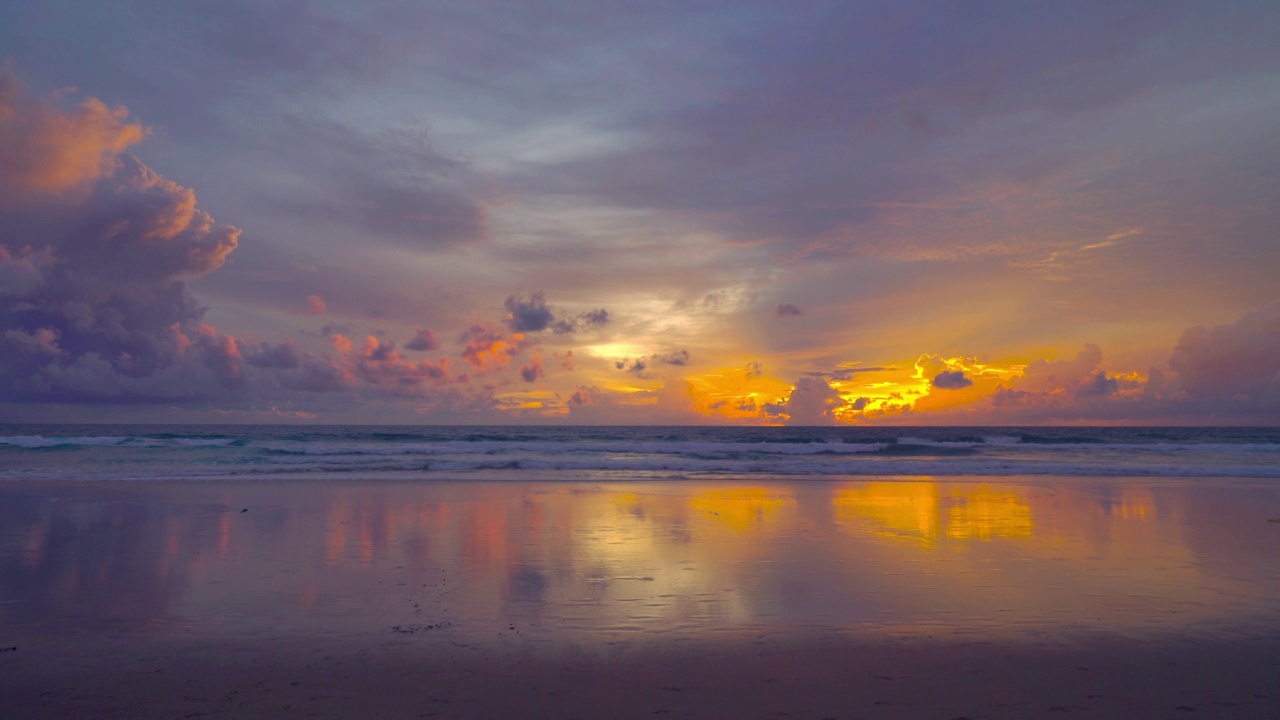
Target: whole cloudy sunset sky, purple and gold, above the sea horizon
(641, 213)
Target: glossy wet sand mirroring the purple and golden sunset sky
(642, 560)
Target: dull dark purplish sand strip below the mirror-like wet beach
(775, 678)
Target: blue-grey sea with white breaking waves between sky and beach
(268, 453)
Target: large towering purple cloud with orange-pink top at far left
(102, 247)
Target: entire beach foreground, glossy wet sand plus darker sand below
(819, 600)
